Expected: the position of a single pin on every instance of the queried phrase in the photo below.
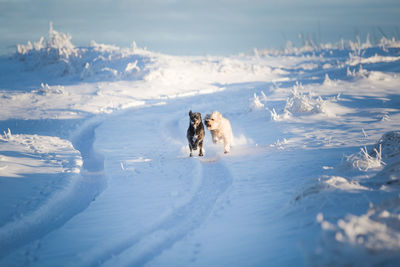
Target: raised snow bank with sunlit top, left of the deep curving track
(50, 167)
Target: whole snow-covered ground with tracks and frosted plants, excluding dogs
(95, 167)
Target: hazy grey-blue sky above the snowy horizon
(189, 27)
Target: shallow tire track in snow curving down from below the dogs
(216, 179)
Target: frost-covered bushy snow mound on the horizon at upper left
(57, 56)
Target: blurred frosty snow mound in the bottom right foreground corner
(370, 239)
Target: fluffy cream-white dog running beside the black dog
(220, 128)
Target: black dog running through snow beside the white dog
(195, 133)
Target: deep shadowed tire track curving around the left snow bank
(62, 205)
